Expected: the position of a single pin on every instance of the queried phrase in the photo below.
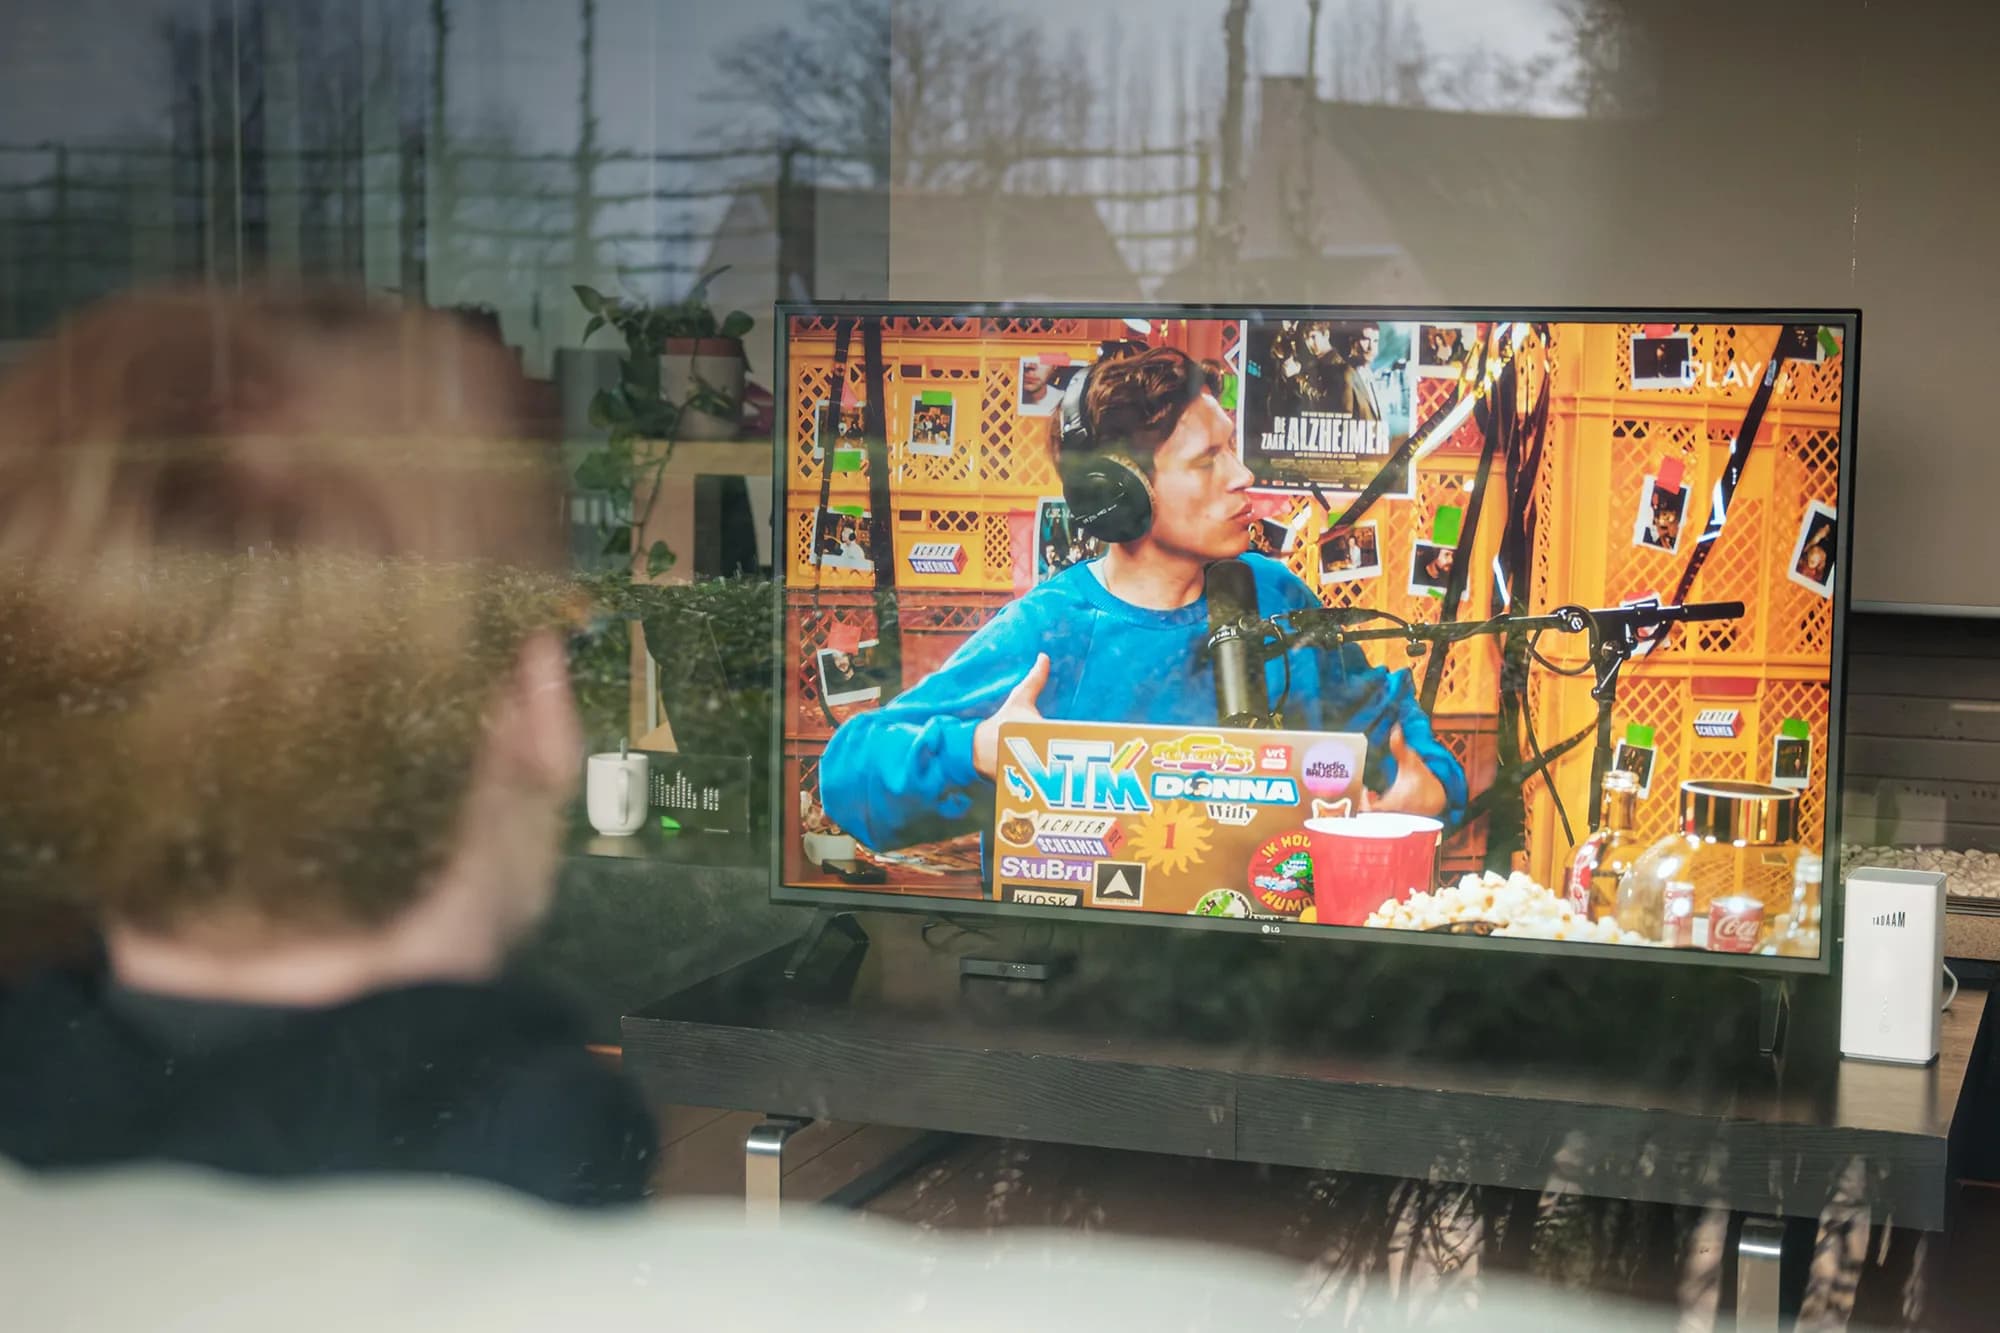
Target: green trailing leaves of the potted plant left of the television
(641, 425)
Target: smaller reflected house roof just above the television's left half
(837, 243)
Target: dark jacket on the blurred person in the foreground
(483, 1082)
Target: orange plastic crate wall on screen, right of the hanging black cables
(1775, 661)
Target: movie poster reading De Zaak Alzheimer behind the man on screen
(1329, 403)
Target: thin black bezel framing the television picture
(849, 900)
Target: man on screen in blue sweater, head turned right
(1123, 639)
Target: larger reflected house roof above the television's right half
(1369, 203)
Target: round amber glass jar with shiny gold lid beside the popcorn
(1735, 842)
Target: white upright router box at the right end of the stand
(1893, 966)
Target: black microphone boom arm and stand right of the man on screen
(1615, 639)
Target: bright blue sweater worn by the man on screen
(903, 774)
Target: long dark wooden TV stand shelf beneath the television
(1365, 1070)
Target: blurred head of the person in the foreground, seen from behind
(283, 692)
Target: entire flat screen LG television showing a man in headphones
(1479, 627)
